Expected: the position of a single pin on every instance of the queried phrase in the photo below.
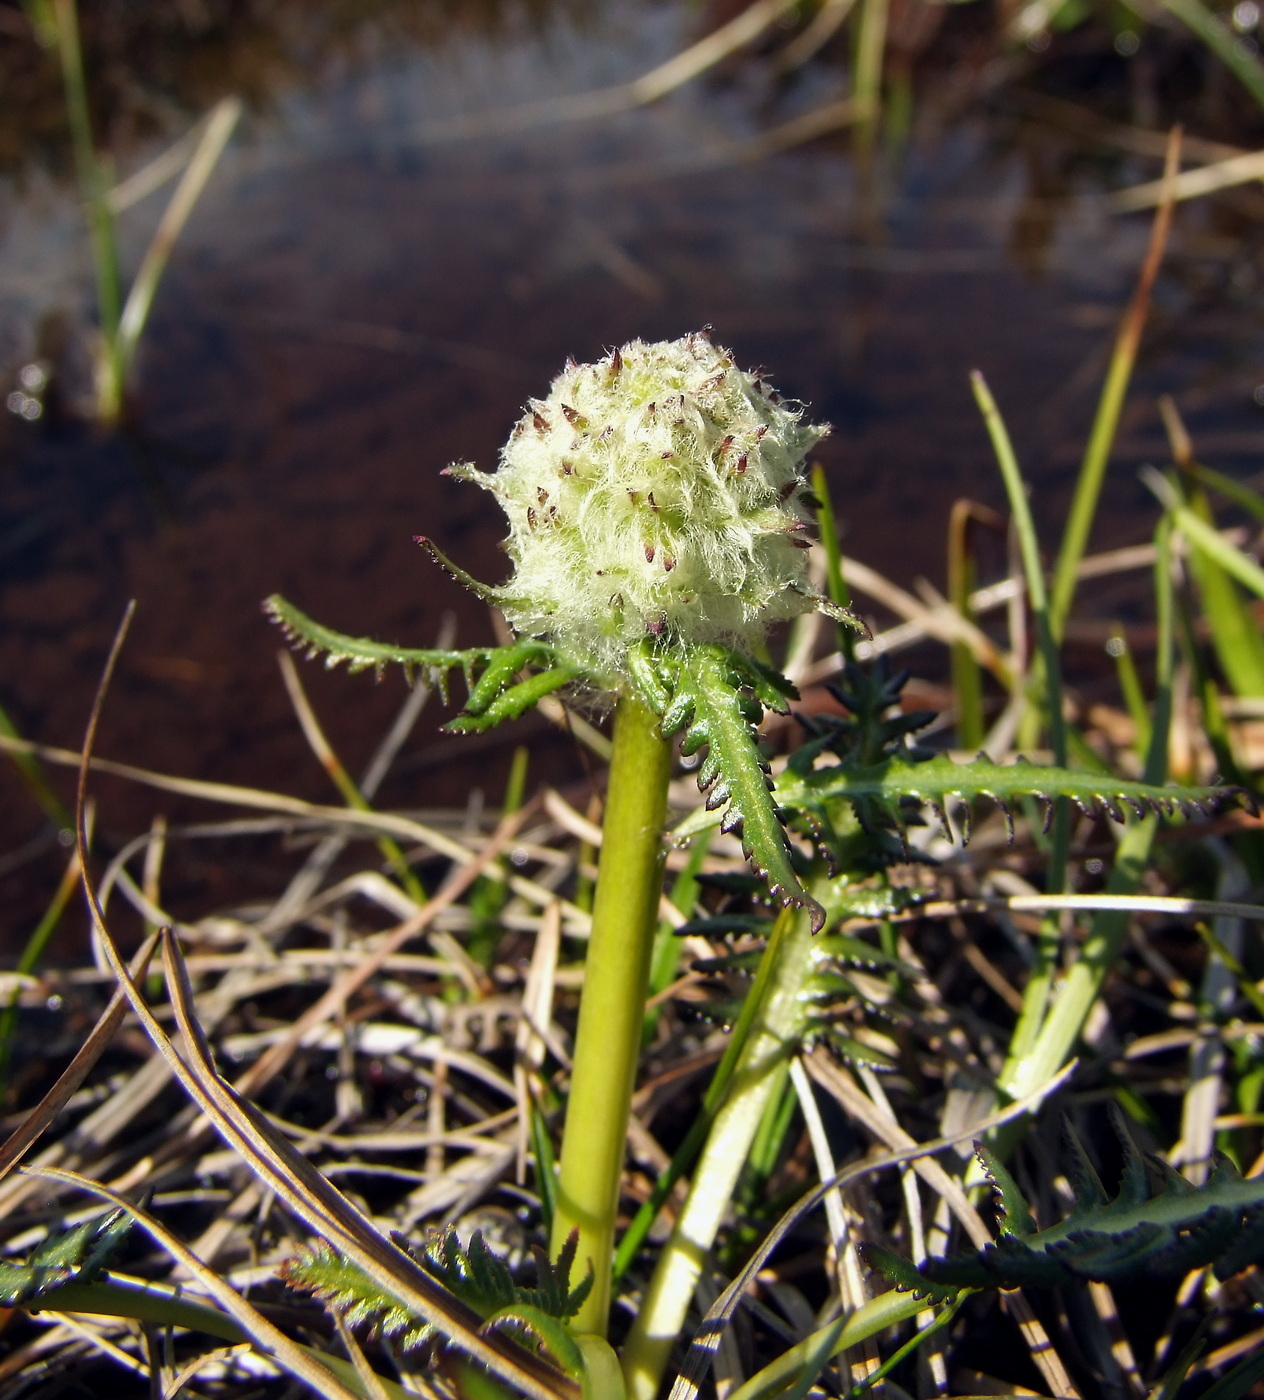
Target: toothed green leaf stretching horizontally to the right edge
(939, 780)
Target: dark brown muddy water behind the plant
(362, 299)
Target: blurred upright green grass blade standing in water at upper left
(103, 232)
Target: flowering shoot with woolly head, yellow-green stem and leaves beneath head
(659, 527)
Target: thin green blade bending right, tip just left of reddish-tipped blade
(1049, 941)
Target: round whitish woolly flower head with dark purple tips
(656, 493)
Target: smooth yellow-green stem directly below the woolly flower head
(614, 1007)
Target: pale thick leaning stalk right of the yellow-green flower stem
(786, 968)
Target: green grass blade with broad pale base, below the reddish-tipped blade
(1107, 937)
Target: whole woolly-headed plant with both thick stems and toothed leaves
(659, 527)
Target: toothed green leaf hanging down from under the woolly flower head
(717, 699)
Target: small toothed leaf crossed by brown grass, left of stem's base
(477, 1276)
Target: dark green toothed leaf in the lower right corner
(1147, 1230)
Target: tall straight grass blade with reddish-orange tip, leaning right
(1123, 358)
